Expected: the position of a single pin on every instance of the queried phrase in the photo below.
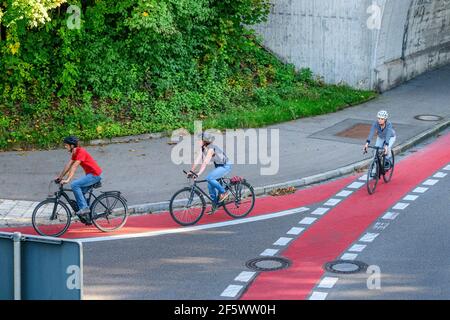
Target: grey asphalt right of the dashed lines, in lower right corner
(411, 253)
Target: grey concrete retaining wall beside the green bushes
(366, 44)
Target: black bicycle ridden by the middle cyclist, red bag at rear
(188, 205)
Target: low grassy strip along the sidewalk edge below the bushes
(104, 119)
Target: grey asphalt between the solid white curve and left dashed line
(191, 266)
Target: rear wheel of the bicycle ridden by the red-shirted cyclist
(109, 212)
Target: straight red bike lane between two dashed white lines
(327, 239)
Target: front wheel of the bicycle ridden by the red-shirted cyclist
(51, 218)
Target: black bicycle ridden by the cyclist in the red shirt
(52, 217)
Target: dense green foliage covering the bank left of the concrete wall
(132, 66)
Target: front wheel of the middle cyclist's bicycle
(187, 206)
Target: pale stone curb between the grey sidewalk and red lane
(307, 181)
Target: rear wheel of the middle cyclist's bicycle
(241, 200)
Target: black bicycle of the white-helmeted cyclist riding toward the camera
(377, 169)
